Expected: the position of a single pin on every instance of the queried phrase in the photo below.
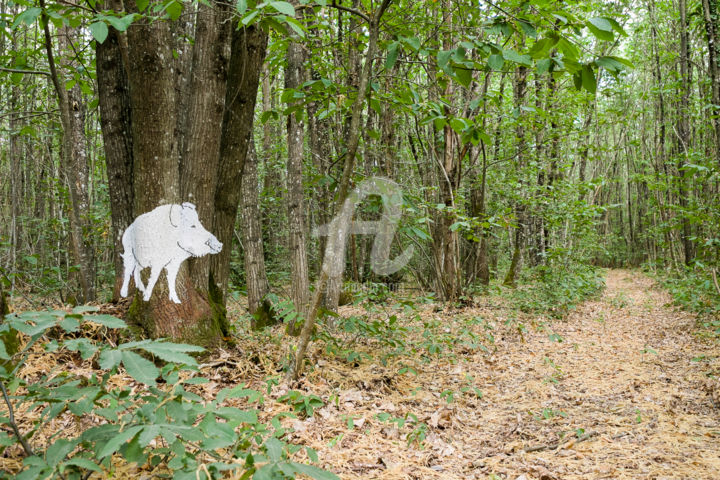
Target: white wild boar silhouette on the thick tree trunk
(164, 238)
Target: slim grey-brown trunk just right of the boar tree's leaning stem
(255, 274)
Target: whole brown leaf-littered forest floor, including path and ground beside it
(619, 389)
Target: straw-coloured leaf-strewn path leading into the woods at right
(630, 372)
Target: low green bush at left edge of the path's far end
(556, 289)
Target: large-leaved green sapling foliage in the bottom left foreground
(161, 426)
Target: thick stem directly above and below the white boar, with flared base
(157, 182)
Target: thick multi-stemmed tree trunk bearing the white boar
(164, 175)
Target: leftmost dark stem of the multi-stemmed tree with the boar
(116, 123)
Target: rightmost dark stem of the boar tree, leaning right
(247, 55)
